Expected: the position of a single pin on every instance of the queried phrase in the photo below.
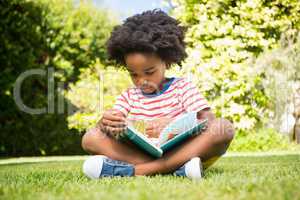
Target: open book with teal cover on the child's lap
(172, 135)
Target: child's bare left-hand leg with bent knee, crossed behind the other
(98, 143)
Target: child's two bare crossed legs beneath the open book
(210, 144)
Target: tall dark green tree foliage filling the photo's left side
(38, 35)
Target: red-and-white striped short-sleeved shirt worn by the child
(180, 97)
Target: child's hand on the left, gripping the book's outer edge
(112, 122)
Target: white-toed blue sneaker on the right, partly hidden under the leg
(192, 169)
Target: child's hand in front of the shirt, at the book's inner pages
(154, 127)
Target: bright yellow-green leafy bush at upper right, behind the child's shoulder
(223, 37)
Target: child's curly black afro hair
(152, 31)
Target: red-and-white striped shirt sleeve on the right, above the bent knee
(192, 99)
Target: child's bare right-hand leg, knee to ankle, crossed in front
(209, 145)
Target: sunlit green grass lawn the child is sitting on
(250, 176)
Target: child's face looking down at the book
(147, 71)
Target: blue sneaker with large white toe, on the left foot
(101, 166)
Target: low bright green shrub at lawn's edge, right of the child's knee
(261, 140)
